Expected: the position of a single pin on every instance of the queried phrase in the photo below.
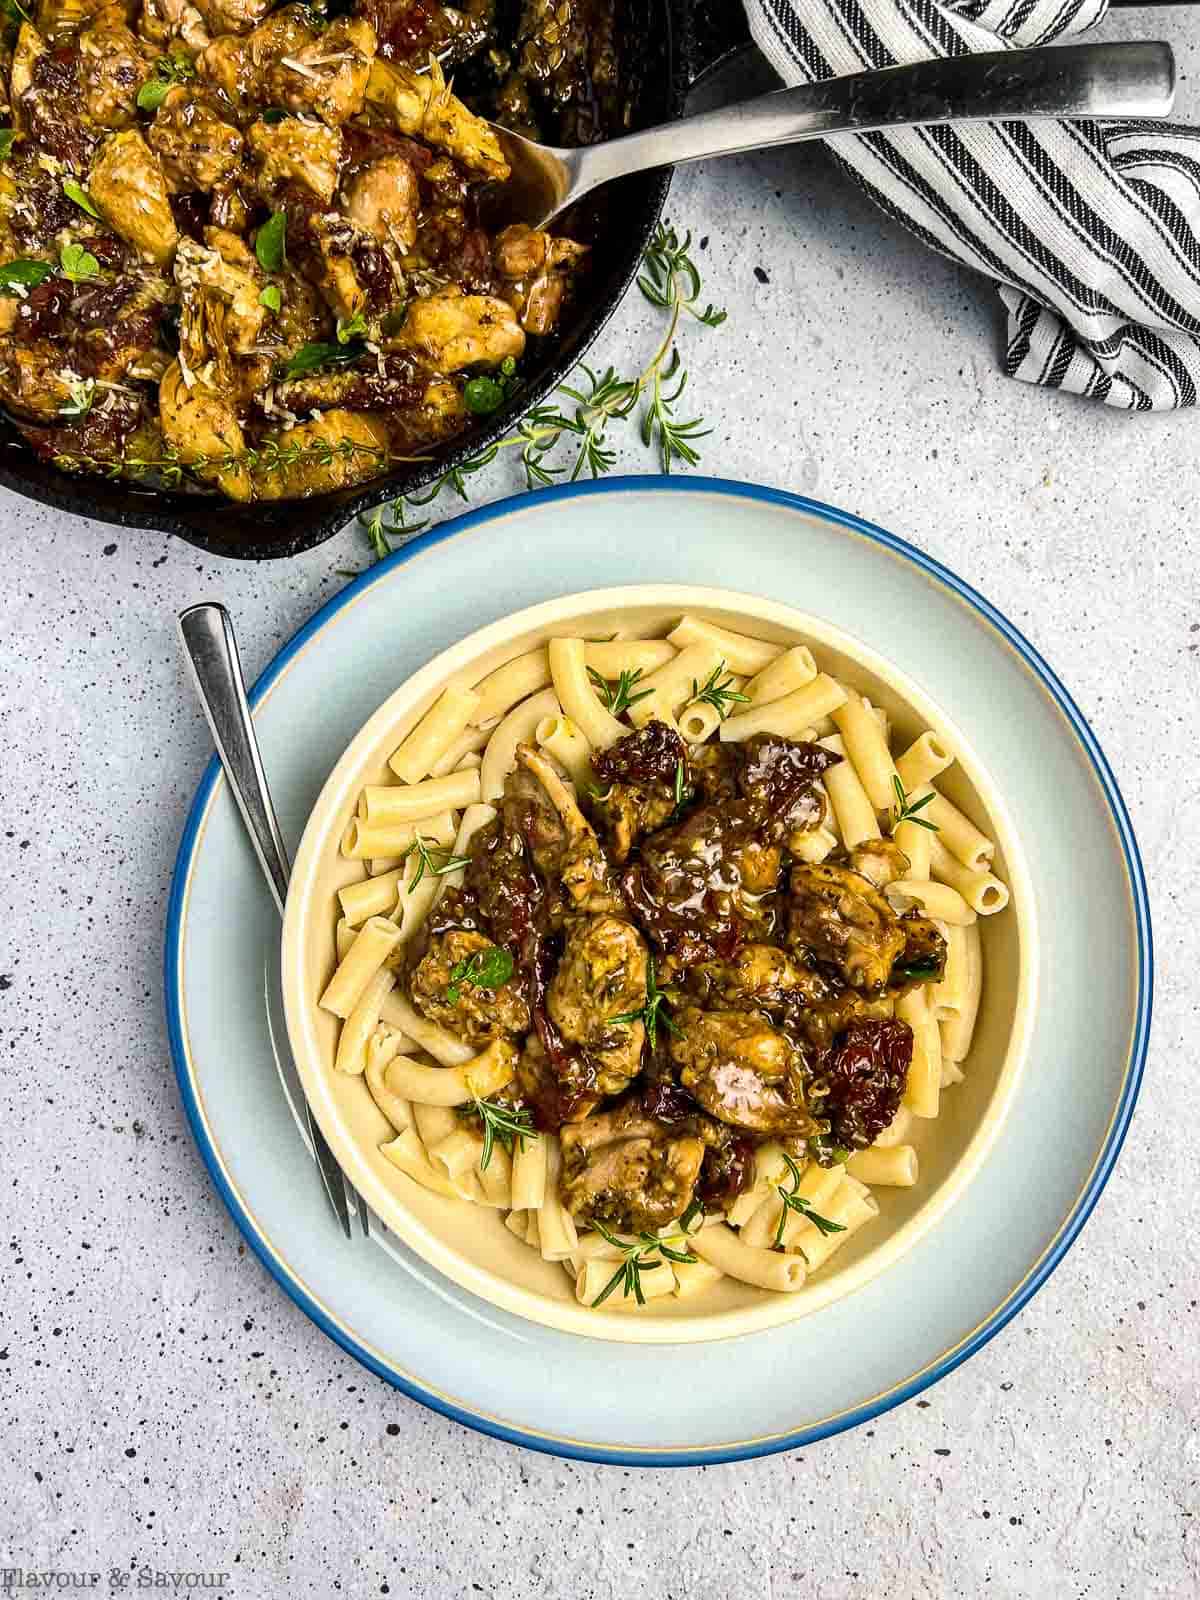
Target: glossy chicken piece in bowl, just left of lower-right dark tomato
(742, 1070)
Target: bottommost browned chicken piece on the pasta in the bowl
(626, 1170)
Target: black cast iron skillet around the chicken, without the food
(673, 44)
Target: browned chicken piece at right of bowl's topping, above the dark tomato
(839, 919)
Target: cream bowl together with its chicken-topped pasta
(660, 964)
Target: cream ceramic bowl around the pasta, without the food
(470, 1244)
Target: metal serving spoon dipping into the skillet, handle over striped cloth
(1076, 81)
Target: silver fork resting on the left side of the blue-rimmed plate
(212, 654)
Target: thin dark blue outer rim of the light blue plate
(1066, 1233)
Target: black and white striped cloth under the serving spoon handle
(1092, 230)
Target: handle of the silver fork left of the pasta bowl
(212, 654)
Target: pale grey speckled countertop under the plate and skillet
(164, 1406)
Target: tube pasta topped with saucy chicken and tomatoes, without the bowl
(673, 975)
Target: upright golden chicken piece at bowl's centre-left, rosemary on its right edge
(602, 975)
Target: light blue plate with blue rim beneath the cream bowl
(958, 1287)
